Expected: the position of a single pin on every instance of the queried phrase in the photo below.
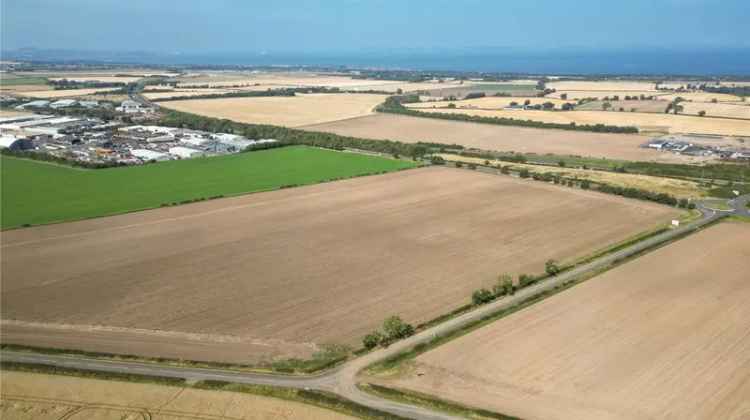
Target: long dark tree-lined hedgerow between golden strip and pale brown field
(394, 105)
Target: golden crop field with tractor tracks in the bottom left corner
(34, 396)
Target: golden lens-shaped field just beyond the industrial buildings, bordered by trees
(288, 111)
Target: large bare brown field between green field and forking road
(277, 273)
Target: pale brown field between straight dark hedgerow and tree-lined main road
(498, 137)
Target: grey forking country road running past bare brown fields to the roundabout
(342, 380)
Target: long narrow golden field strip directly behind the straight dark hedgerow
(666, 123)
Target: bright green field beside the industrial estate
(38, 193)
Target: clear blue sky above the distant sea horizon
(346, 25)
